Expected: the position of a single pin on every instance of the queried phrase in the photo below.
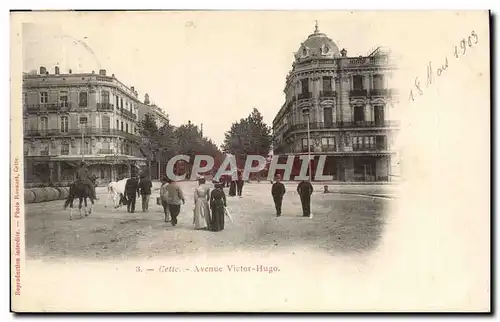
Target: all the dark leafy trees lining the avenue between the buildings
(249, 136)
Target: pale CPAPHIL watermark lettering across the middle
(230, 168)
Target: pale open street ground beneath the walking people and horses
(349, 220)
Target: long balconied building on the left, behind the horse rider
(73, 117)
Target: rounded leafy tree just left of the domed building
(249, 136)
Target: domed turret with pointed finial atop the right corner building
(317, 45)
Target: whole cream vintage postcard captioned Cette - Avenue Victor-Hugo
(250, 161)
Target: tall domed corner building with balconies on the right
(346, 104)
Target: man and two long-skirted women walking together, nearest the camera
(209, 206)
